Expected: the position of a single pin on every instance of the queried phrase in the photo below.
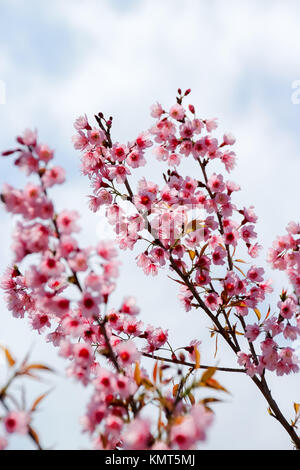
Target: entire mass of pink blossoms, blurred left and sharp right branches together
(188, 224)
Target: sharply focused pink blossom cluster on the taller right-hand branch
(196, 228)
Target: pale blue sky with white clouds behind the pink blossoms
(60, 59)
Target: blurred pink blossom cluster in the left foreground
(64, 292)
